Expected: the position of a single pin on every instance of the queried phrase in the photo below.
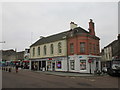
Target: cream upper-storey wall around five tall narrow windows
(55, 44)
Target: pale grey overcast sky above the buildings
(24, 22)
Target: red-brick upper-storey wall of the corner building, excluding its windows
(76, 41)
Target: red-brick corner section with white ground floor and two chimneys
(83, 49)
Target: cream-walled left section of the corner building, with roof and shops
(49, 53)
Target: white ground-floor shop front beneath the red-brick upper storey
(84, 63)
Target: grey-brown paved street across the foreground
(31, 79)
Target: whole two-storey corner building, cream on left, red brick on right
(75, 50)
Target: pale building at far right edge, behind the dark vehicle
(111, 51)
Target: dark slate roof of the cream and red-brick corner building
(59, 36)
